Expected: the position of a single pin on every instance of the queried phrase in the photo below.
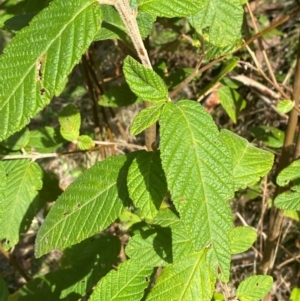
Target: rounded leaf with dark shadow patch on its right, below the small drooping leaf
(151, 248)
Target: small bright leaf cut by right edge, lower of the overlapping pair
(289, 200)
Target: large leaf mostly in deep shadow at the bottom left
(82, 266)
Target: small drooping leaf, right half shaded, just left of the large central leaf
(146, 183)
